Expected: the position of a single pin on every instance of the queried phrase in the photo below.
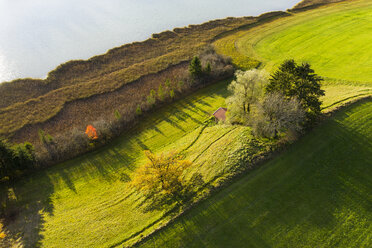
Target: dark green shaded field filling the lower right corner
(316, 194)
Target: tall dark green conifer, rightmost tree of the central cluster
(299, 81)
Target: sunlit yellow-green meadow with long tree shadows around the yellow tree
(86, 202)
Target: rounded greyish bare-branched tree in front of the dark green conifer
(276, 114)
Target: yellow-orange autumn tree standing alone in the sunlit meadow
(161, 175)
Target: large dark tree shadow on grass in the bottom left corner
(24, 204)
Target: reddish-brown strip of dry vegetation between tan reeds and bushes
(81, 112)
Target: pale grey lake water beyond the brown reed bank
(38, 35)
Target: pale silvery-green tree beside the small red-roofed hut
(246, 90)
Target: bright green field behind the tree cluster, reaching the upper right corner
(336, 40)
